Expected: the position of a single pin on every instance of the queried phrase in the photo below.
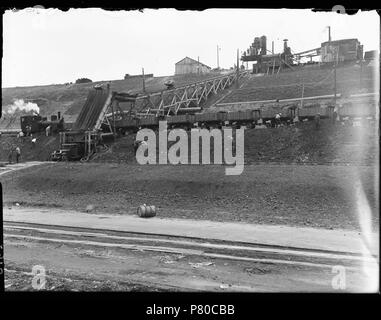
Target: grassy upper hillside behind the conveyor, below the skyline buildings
(69, 99)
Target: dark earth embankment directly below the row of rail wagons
(298, 144)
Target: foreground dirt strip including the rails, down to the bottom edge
(91, 260)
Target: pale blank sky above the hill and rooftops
(51, 47)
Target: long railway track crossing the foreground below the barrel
(212, 249)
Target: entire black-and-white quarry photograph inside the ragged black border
(167, 150)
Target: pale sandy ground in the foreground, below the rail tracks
(86, 267)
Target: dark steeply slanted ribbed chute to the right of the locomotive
(91, 110)
